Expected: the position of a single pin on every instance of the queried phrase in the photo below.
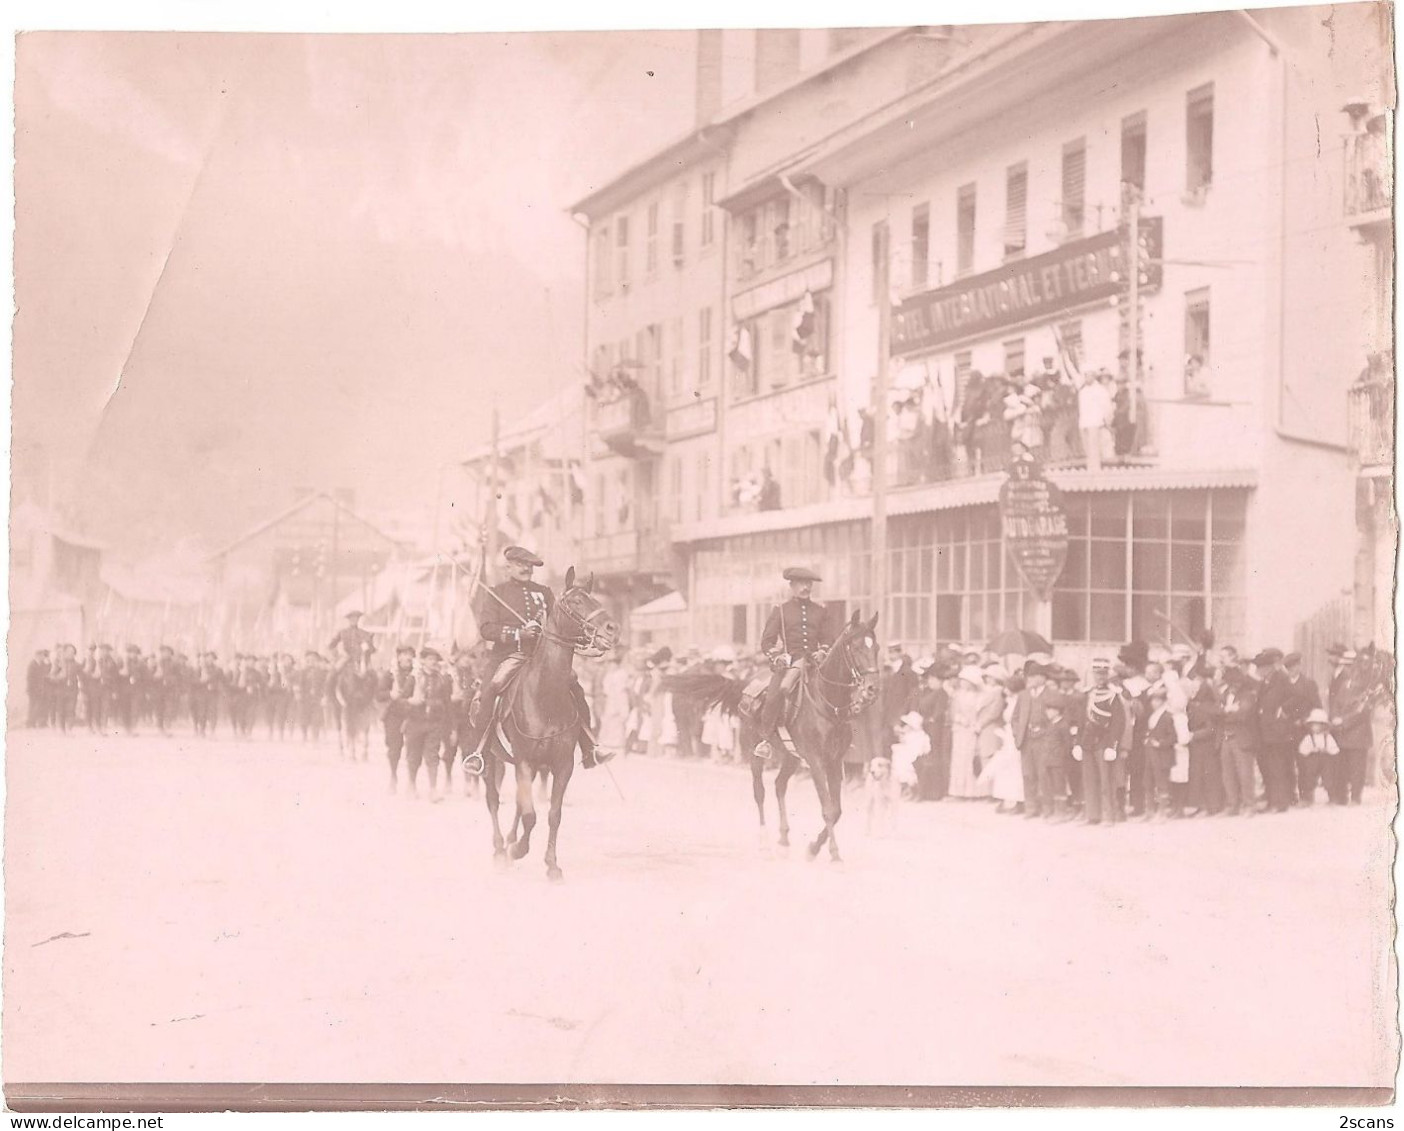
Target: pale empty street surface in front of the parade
(269, 913)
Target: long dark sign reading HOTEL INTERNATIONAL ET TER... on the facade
(1024, 291)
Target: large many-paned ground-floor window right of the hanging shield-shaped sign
(1145, 562)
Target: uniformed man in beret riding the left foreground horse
(512, 618)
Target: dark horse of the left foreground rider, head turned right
(537, 714)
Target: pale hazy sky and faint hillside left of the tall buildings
(305, 257)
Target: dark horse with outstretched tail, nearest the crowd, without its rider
(830, 695)
